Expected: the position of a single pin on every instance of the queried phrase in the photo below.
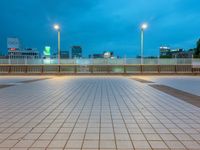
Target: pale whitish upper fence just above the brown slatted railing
(124, 61)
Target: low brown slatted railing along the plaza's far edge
(99, 69)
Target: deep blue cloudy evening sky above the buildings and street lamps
(99, 25)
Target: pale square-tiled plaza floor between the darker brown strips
(94, 113)
